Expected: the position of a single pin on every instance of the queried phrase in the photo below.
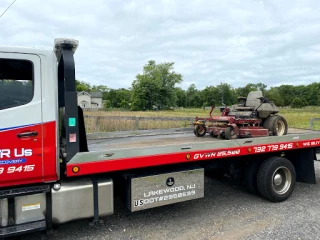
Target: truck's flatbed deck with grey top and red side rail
(137, 152)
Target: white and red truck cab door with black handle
(21, 125)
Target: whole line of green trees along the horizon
(156, 88)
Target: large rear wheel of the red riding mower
(277, 125)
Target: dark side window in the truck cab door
(16, 83)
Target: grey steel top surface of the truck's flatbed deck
(111, 149)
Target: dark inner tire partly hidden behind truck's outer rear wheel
(250, 177)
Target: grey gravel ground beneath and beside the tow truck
(226, 212)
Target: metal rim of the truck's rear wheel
(281, 180)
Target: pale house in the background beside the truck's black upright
(90, 100)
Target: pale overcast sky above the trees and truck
(271, 41)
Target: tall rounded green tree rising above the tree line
(155, 87)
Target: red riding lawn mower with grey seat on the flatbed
(254, 116)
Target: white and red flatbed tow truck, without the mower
(50, 175)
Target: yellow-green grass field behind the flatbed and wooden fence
(296, 118)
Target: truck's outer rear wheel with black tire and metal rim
(276, 179)
